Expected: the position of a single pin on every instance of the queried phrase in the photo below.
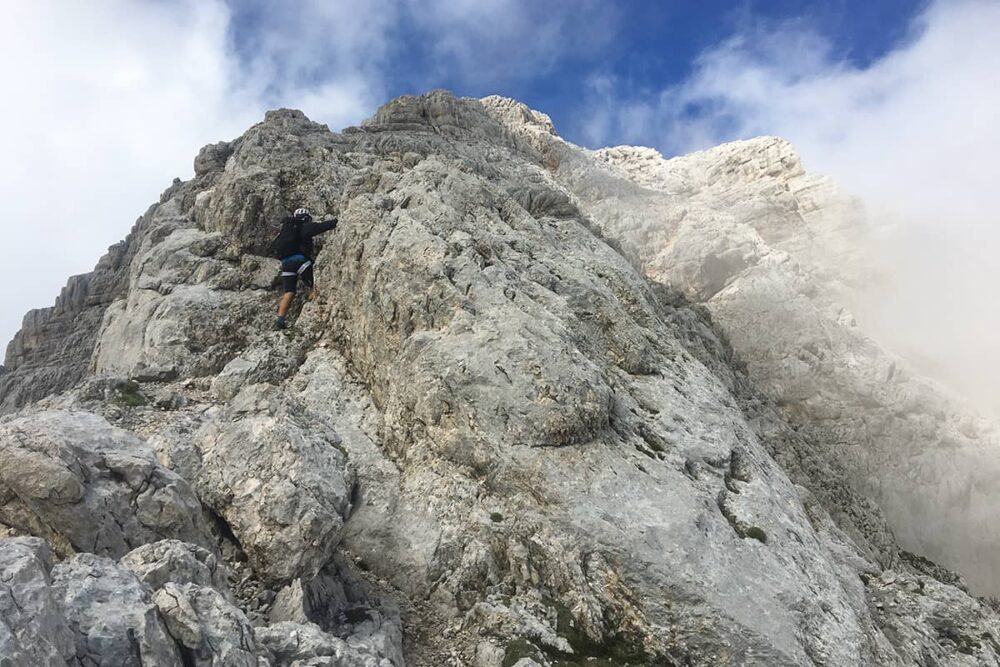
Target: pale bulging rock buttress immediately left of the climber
(168, 325)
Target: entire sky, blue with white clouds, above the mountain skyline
(896, 100)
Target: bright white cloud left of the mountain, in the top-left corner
(97, 120)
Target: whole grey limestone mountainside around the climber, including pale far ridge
(539, 412)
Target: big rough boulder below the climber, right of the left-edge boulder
(278, 479)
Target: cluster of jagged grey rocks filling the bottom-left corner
(90, 610)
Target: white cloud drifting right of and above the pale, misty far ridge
(915, 133)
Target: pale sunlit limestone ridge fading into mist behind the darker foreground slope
(777, 255)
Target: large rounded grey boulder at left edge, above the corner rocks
(86, 486)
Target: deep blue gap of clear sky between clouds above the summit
(651, 45)
